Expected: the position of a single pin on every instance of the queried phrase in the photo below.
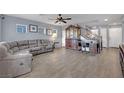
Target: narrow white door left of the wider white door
(103, 33)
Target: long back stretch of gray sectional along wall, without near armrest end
(33, 46)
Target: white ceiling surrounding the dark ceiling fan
(86, 19)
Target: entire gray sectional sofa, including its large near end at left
(16, 57)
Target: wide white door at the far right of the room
(115, 36)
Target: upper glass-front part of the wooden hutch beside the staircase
(73, 32)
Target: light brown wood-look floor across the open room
(66, 63)
